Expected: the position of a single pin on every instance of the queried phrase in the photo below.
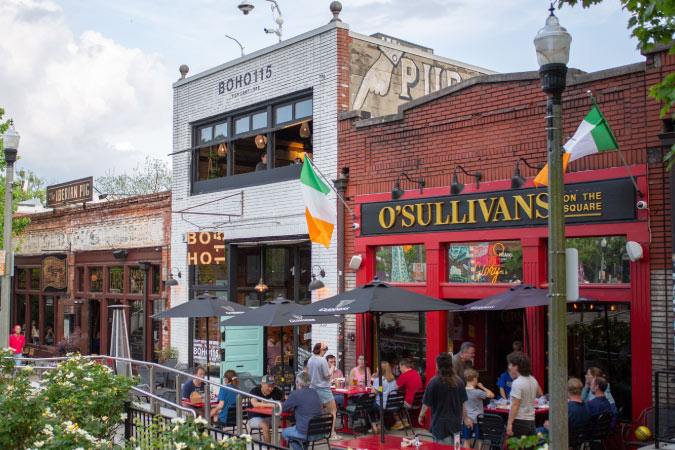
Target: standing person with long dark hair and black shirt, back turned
(446, 396)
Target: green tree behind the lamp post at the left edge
(34, 188)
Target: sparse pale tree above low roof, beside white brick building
(153, 176)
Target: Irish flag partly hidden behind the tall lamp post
(592, 136)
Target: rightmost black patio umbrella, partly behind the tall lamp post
(516, 297)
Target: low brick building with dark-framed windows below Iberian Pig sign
(72, 263)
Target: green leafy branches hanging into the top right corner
(652, 22)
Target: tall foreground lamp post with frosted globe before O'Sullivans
(553, 48)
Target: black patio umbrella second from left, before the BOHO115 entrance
(280, 312)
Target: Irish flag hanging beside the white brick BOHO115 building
(319, 211)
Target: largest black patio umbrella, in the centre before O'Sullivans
(378, 297)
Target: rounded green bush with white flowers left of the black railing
(88, 394)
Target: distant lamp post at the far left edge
(10, 142)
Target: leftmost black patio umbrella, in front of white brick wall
(204, 305)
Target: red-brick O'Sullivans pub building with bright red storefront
(466, 246)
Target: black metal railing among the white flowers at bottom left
(139, 425)
